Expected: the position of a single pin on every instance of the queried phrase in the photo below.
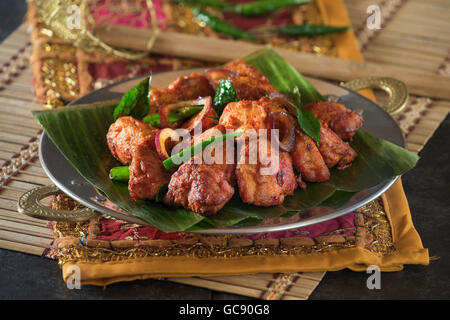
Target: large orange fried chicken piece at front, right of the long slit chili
(264, 183)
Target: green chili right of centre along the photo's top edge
(258, 8)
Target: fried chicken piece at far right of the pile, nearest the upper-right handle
(340, 119)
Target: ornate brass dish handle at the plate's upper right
(396, 89)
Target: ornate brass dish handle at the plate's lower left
(29, 204)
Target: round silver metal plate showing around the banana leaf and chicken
(377, 122)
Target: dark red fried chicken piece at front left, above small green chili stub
(147, 173)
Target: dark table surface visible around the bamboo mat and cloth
(427, 186)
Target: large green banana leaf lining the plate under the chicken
(79, 132)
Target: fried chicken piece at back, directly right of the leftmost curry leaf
(184, 88)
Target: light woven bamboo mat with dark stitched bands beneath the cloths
(421, 41)
